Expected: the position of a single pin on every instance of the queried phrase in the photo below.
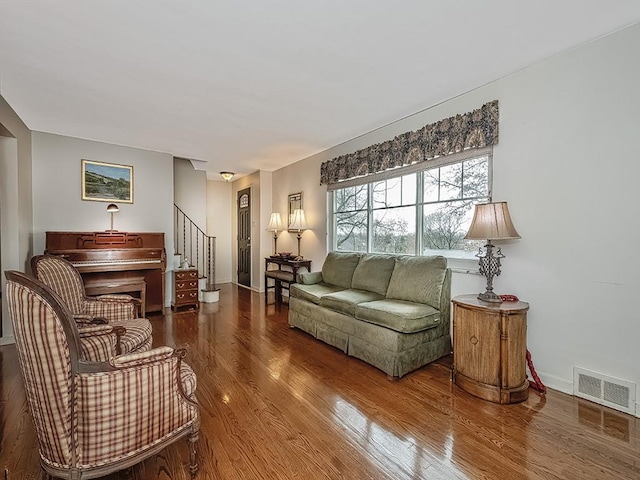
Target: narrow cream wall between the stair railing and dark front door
(220, 206)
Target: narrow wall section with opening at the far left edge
(16, 209)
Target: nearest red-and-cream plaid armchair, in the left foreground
(92, 419)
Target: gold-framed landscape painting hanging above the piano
(107, 182)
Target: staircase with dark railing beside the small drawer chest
(199, 249)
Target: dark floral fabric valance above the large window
(475, 129)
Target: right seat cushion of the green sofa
(398, 315)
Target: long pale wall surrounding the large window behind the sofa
(567, 163)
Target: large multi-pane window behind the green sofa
(425, 211)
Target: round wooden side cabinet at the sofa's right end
(490, 348)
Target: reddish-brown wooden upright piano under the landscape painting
(116, 256)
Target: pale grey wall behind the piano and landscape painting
(57, 202)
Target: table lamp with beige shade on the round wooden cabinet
(491, 221)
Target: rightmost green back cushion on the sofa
(418, 279)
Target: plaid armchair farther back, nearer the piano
(134, 334)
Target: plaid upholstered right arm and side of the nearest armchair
(133, 408)
